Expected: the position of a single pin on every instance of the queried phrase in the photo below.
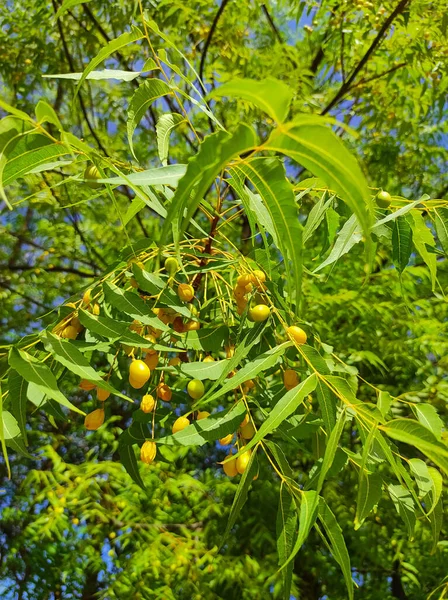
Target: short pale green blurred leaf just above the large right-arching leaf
(271, 95)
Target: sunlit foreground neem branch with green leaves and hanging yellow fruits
(215, 340)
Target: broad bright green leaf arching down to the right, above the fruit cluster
(310, 141)
